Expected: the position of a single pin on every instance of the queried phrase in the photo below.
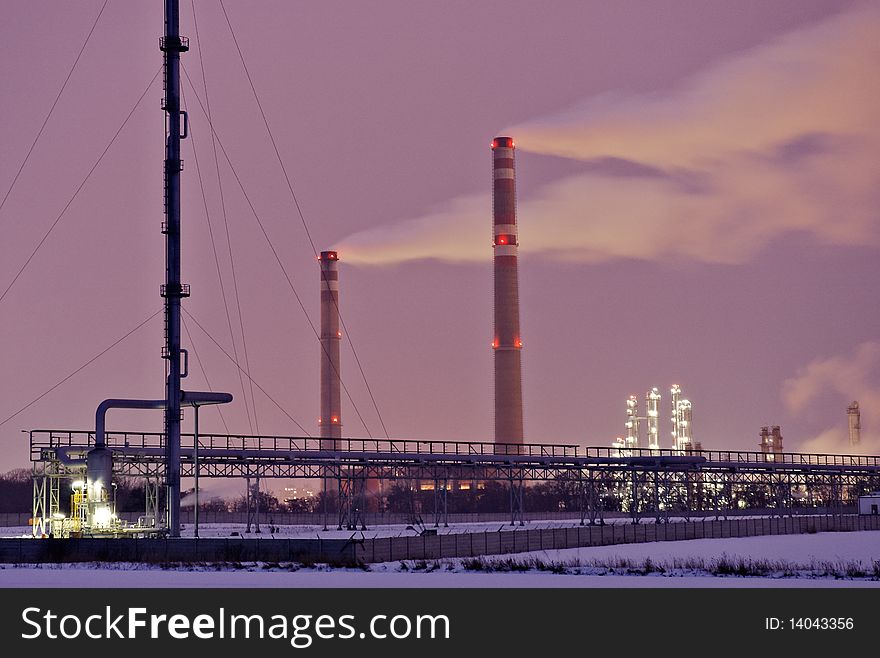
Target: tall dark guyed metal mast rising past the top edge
(172, 44)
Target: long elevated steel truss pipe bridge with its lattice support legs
(618, 482)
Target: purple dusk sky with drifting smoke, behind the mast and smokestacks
(698, 205)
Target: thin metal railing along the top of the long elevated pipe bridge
(48, 439)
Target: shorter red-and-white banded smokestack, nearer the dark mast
(331, 400)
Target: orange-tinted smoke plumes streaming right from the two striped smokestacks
(779, 140)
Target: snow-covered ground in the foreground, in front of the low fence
(802, 561)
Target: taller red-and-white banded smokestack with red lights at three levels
(507, 342)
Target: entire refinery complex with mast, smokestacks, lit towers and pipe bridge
(659, 469)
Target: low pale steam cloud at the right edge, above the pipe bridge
(850, 377)
